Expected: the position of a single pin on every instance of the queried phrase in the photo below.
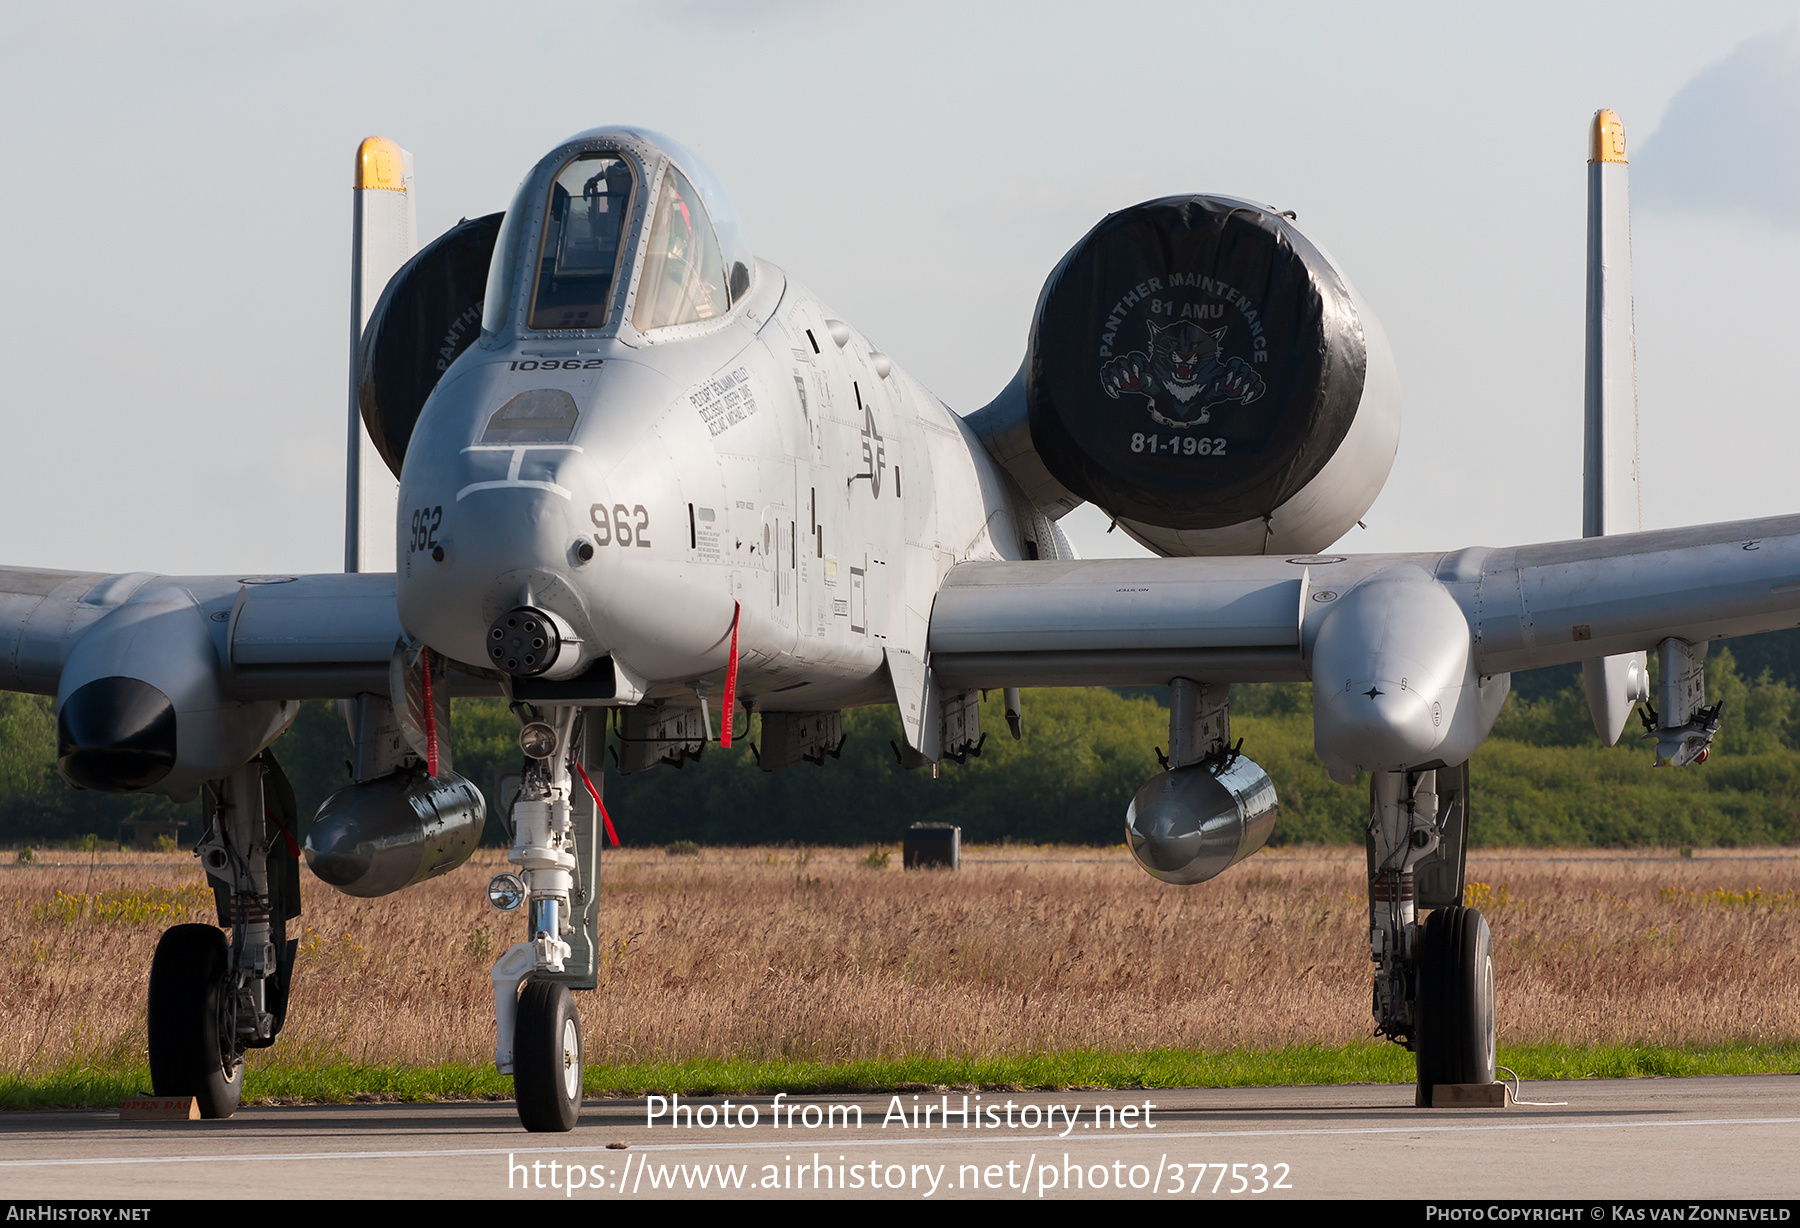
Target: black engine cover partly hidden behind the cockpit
(427, 316)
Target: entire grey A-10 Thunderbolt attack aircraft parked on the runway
(649, 480)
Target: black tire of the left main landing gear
(192, 1040)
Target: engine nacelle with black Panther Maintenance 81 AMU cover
(1203, 374)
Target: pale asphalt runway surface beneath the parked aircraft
(1713, 1139)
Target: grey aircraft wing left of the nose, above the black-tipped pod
(260, 637)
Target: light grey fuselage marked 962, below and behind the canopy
(771, 462)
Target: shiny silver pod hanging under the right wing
(1189, 824)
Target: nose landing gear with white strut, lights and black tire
(557, 851)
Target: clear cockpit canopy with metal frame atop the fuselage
(616, 228)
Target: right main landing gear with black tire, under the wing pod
(1434, 982)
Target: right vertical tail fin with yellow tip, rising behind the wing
(1610, 462)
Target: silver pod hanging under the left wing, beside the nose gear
(386, 835)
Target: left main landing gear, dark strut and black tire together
(213, 998)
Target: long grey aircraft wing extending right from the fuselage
(1254, 620)
